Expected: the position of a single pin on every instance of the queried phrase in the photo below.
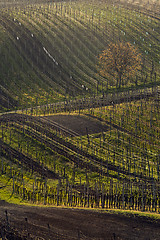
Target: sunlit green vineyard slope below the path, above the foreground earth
(116, 166)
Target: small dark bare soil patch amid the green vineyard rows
(79, 123)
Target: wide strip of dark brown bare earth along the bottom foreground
(64, 223)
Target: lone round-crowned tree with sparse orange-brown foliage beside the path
(120, 60)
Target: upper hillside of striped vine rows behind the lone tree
(48, 51)
